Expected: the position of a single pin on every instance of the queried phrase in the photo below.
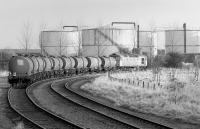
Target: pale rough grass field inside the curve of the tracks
(176, 97)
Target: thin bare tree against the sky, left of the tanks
(26, 36)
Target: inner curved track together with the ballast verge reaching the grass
(137, 119)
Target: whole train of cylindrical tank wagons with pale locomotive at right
(27, 69)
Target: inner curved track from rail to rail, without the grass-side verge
(135, 122)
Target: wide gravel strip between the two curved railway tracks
(69, 111)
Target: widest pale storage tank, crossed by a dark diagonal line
(105, 41)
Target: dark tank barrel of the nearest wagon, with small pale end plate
(20, 66)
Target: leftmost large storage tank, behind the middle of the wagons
(58, 43)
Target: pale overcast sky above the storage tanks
(14, 13)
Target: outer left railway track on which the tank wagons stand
(20, 102)
